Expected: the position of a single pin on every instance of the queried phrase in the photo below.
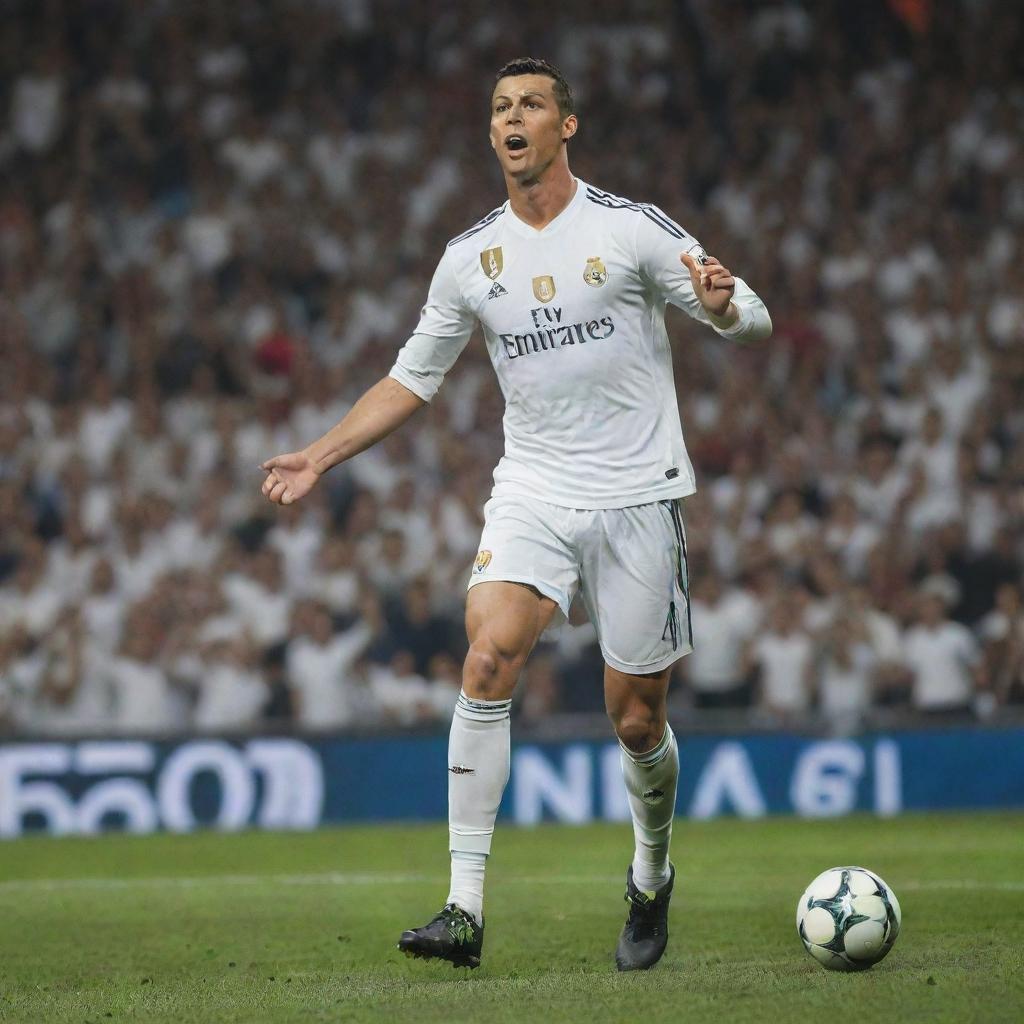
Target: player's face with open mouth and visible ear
(527, 131)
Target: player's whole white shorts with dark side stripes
(629, 565)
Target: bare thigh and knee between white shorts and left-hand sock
(503, 623)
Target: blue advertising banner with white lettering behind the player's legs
(286, 783)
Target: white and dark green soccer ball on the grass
(848, 919)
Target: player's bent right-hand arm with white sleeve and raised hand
(675, 264)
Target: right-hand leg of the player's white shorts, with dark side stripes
(635, 584)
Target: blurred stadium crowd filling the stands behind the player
(218, 224)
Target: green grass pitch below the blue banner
(303, 927)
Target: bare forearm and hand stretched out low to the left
(382, 410)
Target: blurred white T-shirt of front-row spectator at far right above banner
(943, 660)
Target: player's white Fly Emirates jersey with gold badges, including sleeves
(574, 320)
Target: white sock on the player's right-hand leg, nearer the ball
(651, 783)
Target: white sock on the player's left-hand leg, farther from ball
(480, 747)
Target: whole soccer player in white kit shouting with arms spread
(570, 284)
